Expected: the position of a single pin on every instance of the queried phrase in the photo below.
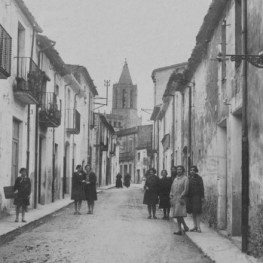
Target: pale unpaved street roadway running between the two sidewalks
(118, 231)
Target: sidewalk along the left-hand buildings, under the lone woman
(9, 228)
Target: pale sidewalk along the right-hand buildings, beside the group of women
(218, 248)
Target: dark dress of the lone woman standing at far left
(23, 185)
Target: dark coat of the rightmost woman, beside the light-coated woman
(195, 194)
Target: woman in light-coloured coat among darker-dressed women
(178, 194)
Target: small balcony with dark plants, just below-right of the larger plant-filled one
(50, 113)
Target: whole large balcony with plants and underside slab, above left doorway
(28, 81)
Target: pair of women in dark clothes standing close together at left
(84, 188)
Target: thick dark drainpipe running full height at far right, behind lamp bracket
(245, 143)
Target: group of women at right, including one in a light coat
(181, 193)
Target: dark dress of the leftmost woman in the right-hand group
(151, 195)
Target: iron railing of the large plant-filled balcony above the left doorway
(29, 77)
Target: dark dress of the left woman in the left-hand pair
(77, 192)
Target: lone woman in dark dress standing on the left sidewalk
(22, 191)
